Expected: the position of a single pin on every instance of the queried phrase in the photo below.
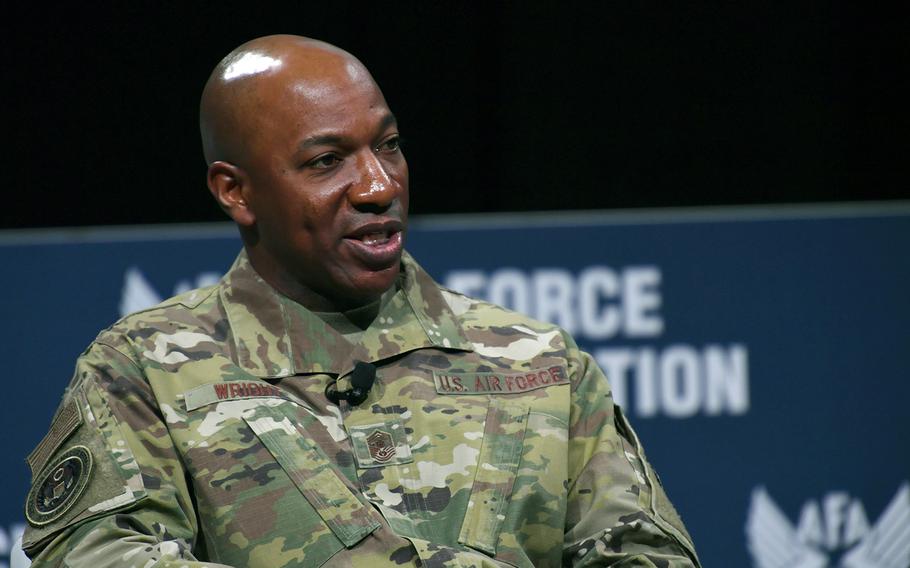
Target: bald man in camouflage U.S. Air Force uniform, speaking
(201, 432)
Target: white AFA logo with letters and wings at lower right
(832, 532)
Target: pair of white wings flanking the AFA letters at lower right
(774, 542)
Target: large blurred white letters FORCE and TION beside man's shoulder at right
(602, 303)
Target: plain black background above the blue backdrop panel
(503, 106)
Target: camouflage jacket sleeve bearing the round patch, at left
(108, 488)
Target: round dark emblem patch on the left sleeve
(58, 488)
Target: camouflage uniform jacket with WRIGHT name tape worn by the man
(197, 433)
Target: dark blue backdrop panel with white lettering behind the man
(761, 353)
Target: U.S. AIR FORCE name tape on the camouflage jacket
(499, 383)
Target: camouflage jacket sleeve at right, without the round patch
(618, 513)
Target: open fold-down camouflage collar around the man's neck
(274, 336)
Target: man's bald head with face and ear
(304, 156)
